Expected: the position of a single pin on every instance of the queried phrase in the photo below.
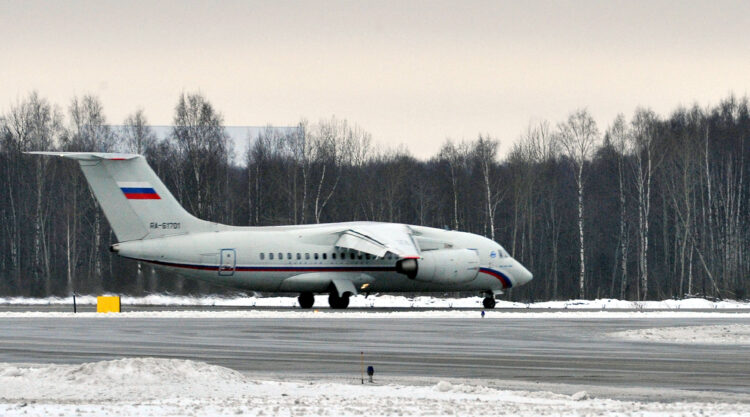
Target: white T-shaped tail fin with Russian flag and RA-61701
(135, 201)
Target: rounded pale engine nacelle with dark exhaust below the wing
(449, 266)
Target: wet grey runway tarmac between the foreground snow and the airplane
(555, 350)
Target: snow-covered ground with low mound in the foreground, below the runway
(161, 387)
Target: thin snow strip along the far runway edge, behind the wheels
(384, 301)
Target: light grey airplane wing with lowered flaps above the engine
(380, 239)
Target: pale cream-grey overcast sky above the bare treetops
(408, 72)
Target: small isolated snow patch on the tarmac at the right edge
(734, 334)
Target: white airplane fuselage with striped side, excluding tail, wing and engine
(286, 258)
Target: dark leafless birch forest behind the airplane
(647, 208)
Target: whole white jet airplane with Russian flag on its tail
(341, 259)
